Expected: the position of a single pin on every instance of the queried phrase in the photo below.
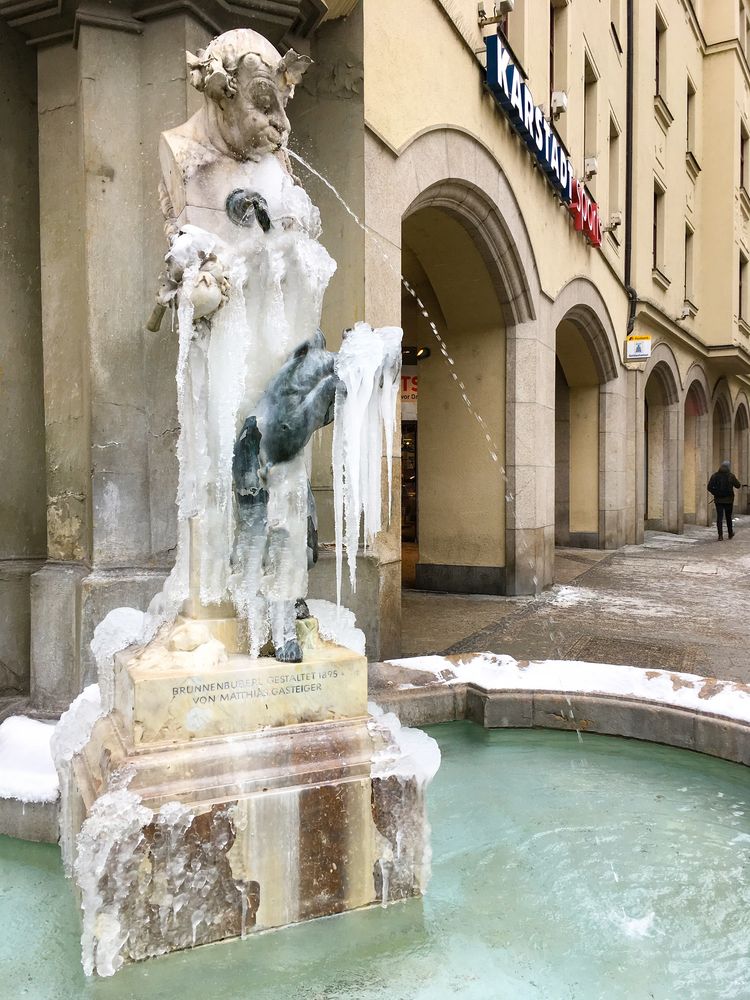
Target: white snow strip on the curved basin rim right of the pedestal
(705, 695)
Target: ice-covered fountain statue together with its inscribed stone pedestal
(226, 777)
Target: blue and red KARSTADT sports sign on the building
(514, 96)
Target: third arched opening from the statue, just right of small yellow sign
(660, 466)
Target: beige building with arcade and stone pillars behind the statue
(522, 216)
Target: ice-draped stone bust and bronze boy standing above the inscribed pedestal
(246, 275)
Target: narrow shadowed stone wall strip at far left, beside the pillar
(22, 505)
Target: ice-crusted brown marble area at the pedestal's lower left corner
(153, 882)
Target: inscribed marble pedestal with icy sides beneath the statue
(181, 836)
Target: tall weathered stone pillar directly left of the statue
(109, 386)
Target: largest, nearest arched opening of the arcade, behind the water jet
(453, 490)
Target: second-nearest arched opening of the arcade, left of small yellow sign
(577, 439)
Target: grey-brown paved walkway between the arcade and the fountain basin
(677, 602)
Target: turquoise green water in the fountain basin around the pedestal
(600, 870)
